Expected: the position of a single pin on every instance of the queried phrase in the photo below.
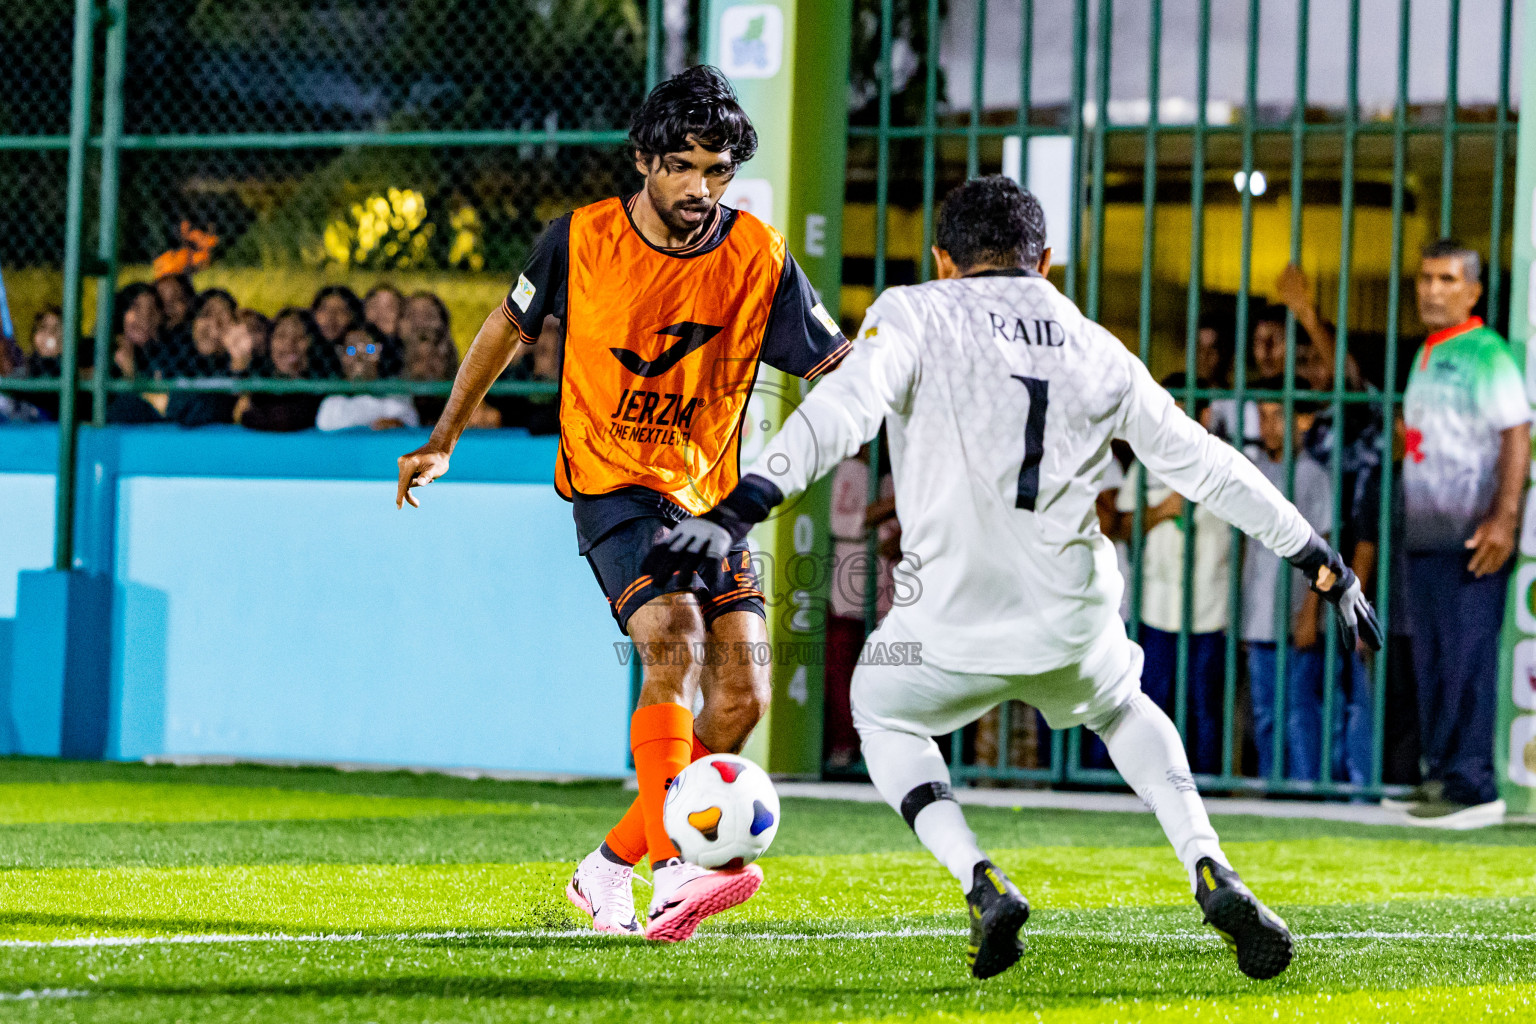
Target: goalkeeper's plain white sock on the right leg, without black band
(1147, 750)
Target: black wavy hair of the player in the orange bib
(697, 102)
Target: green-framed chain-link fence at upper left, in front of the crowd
(127, 102)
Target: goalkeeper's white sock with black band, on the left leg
(913, 778)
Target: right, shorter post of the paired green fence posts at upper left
(116, 16)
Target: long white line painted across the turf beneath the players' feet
(93, 942)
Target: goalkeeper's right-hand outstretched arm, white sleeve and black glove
(1207, 471)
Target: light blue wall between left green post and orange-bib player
(270, 601)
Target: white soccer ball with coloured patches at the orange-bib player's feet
(721, 811)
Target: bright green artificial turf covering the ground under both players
(210, 894)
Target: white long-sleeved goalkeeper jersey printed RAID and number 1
(1001, 401)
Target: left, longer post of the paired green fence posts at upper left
(74, 217)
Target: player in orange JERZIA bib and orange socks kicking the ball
(669, 303)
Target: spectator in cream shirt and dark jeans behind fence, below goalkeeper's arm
(1164, 604)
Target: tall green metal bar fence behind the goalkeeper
(1325, 148)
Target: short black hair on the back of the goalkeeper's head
(991, 222)
